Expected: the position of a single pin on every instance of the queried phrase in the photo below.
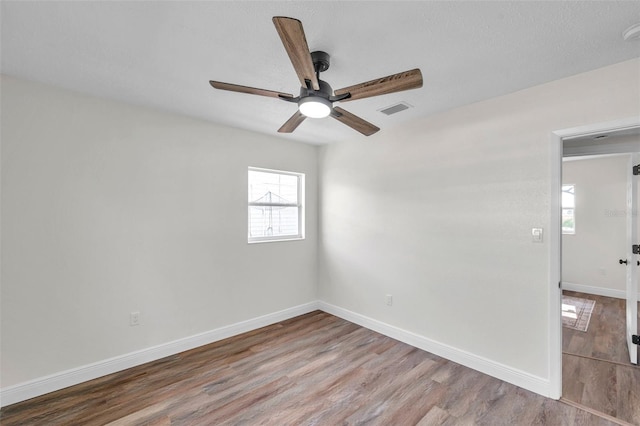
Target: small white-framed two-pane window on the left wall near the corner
(276, 201)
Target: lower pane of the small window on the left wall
(273, 221)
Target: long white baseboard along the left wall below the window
(57, 381)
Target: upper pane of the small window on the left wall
(272, 188)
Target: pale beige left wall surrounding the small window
(109, 208)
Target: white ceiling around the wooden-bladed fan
(163, 53)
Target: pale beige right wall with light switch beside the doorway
(439, 214)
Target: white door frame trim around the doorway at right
(555, 237)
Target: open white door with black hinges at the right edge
(633, 259)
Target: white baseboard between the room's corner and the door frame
(508, 374)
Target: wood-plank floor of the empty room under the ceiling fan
(315, 369)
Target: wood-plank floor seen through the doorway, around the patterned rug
(596, 371)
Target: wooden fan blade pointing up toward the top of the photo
(295, 43)
